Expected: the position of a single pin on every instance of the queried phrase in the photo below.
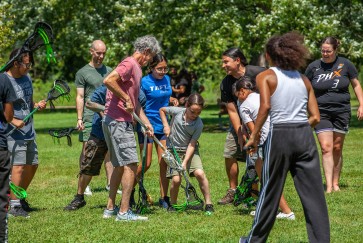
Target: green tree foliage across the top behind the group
(193, 33)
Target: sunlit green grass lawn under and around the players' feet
(56, 180)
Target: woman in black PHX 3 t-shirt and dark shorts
(330, 77)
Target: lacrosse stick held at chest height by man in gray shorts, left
(60, 88)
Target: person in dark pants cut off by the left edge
(7, 97)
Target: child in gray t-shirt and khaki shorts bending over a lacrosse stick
(186, 128)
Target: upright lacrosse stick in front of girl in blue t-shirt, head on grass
(142, 205)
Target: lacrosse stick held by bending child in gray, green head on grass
(193, 200)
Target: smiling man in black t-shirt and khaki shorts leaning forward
(235, 65)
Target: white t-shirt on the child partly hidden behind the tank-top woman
(248, 111)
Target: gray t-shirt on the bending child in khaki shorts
(183, 132)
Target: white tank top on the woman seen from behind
(289, 101)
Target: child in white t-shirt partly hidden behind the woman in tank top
(248, 109)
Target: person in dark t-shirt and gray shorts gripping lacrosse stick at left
(21, 143)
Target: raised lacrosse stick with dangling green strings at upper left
(42, 35)
